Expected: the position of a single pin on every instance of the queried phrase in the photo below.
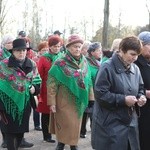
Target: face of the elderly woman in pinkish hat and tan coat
(75, 49)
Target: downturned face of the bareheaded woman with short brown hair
(130, 56)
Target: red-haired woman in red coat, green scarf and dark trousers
(44, 64)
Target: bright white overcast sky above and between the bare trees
(133, 12)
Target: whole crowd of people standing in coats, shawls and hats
(65, 84)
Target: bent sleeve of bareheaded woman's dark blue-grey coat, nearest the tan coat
(102, 89)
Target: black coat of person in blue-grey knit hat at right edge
(144, 119)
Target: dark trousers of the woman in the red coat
(45, 126)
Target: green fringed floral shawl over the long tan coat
(75, 77)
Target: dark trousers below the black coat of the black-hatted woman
(13, 140)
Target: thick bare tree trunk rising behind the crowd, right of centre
(105, 24)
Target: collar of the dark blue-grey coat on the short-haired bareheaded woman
(119, 65)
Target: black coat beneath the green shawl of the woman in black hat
(7, 124)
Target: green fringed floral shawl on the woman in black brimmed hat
(14, 89)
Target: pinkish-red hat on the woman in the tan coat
(74, 38)
